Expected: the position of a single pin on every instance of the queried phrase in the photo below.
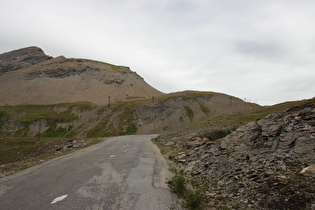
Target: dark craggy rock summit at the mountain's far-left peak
(21, 58)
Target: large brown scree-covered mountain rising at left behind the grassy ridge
(28, 76)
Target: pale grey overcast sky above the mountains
(263, 51)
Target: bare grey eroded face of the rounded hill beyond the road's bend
(178, 111)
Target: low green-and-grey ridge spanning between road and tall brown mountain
(84, 119)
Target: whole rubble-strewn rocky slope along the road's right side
(266, 164)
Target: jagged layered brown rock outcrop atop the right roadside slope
(288, 135)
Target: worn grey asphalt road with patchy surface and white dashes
(126, 172)
